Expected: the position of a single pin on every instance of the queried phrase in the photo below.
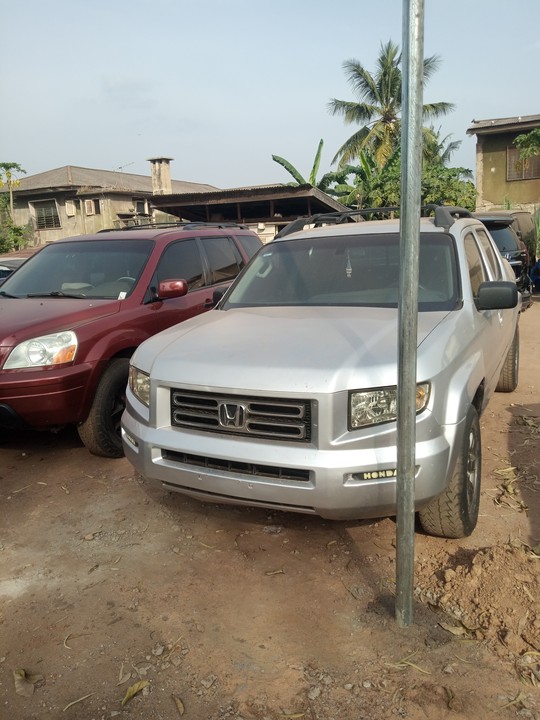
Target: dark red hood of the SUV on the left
(24, 318)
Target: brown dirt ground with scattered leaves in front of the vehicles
(111, 588)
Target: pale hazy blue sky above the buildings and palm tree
(220, 86)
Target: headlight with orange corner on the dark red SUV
(43, 351)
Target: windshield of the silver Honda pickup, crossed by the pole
(357, 270)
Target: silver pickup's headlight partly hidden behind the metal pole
(379, 405)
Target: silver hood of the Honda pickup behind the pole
(292, 349)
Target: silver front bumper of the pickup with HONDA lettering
(337, 483)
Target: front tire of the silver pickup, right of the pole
(454, 513)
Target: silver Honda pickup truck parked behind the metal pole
(284, 396)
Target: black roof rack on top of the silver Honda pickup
(445, 216)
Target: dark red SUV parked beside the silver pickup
(72, 315)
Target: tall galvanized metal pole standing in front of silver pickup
(411, 175)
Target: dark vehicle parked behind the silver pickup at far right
(500, 227)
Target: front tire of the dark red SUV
(100, 432)
